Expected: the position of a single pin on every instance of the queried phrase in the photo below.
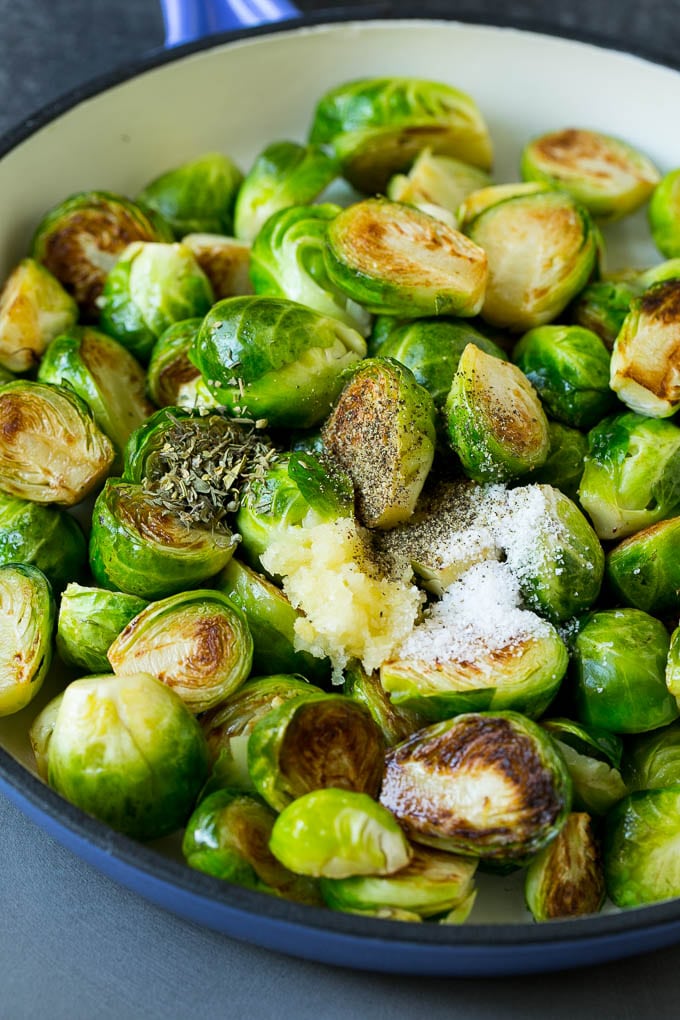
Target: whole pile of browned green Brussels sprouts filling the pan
(229, 364)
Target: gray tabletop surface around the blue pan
(75, 945)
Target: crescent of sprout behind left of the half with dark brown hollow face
(229, 727)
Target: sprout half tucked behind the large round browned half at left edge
(107, 376)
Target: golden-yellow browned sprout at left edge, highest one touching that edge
(34, 310)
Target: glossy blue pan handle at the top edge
(187, 21)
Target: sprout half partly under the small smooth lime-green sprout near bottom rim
(431, 884)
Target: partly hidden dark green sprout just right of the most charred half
(593, 757)
